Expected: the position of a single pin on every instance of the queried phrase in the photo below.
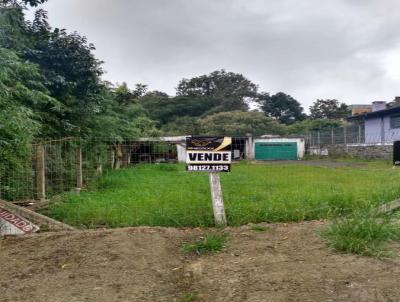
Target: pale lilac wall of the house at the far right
(377, 130)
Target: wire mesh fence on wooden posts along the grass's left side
(56, 166)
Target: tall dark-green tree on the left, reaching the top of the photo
(66, 75)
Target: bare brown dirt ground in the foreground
(289, 262)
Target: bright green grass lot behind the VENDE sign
(167, 195)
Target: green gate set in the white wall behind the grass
(276, 151)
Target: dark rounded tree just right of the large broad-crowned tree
(282, 107)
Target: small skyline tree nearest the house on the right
(329, 109)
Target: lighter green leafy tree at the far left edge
(20, 93)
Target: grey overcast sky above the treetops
(344, 49)
